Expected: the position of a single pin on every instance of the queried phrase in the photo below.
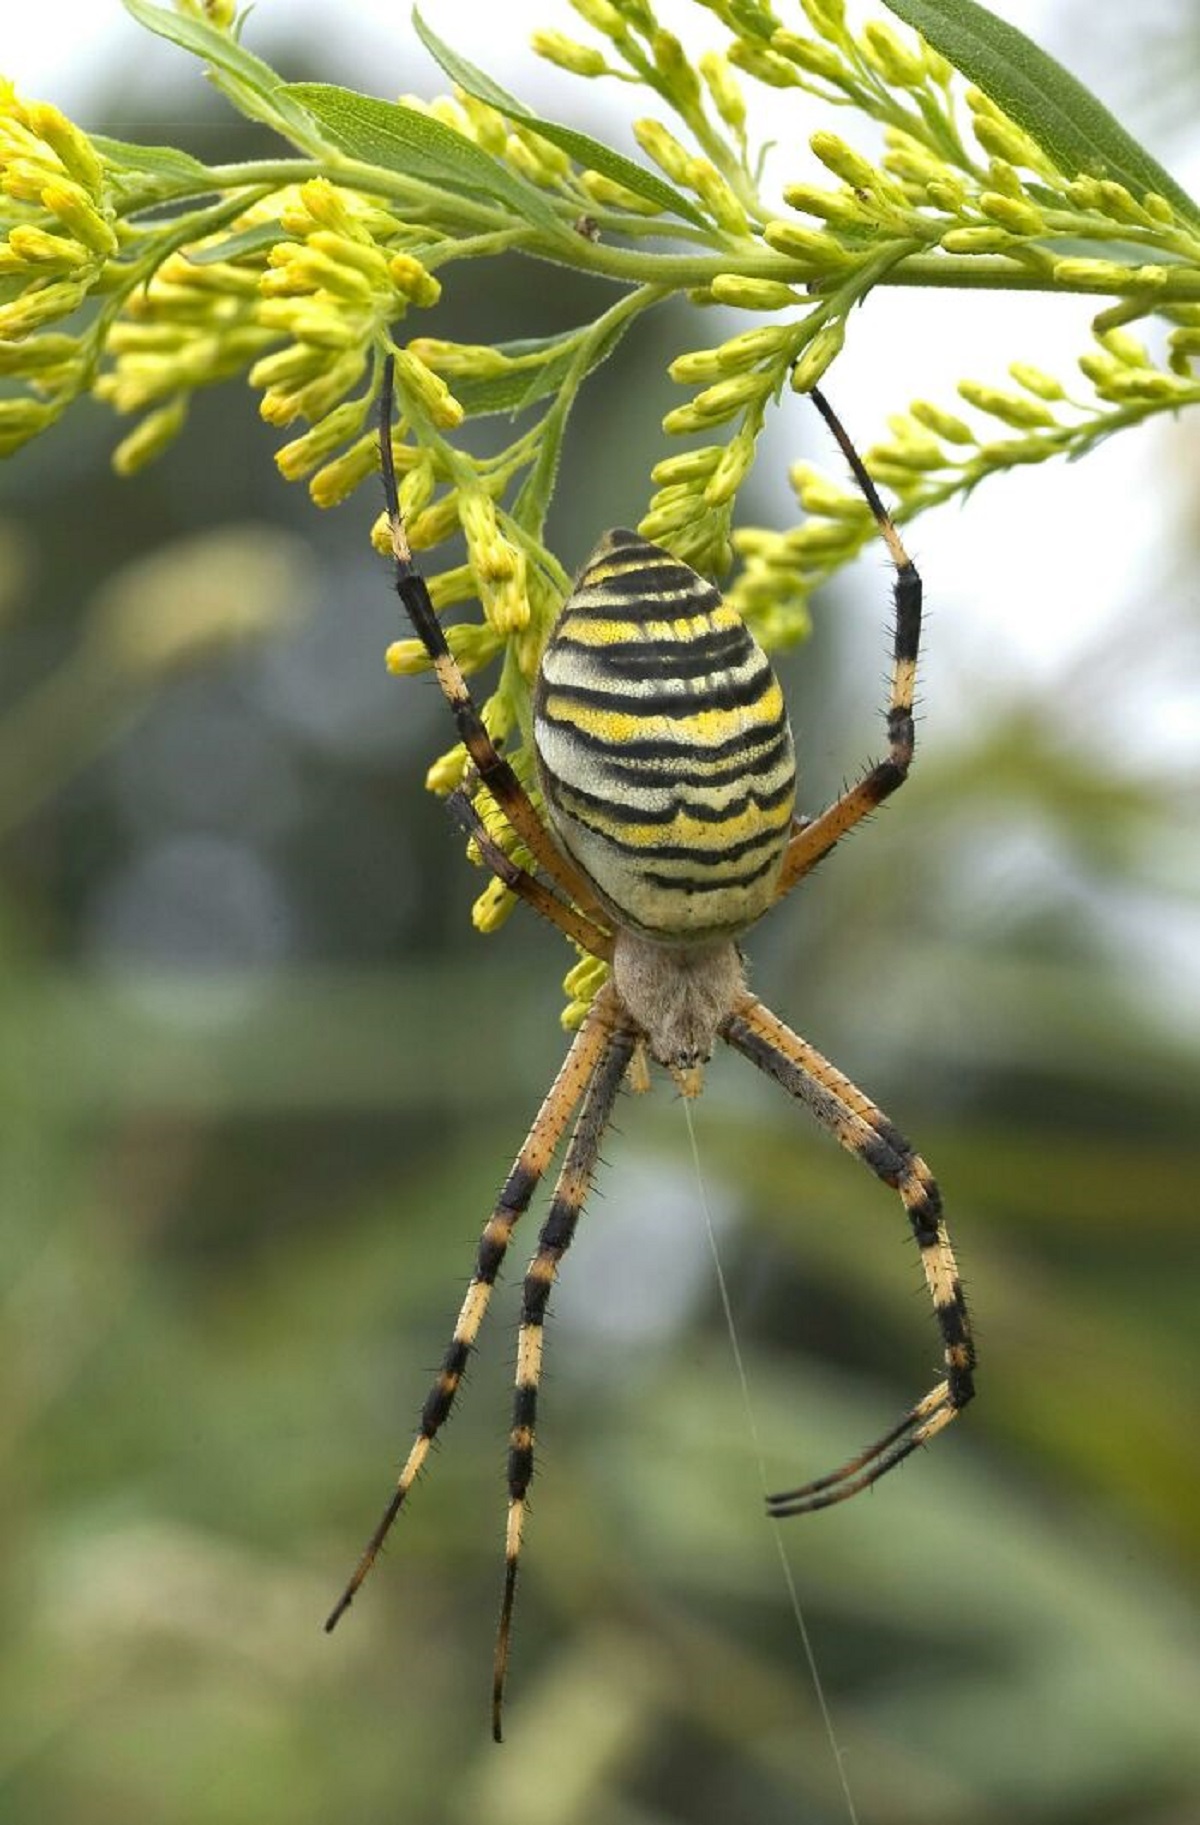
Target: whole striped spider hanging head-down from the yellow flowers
(668, 775)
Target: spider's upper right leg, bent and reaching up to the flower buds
(818, 837)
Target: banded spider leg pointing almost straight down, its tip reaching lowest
(553, 1244)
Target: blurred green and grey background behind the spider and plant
(262, 1083)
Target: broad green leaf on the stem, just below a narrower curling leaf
(402, 140)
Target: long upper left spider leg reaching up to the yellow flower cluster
(490, 764)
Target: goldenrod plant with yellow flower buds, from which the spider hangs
(141, 275)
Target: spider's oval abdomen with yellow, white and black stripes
(663, 746)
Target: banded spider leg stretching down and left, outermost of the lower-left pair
(577, 1072)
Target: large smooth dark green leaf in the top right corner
(1053, 107)
